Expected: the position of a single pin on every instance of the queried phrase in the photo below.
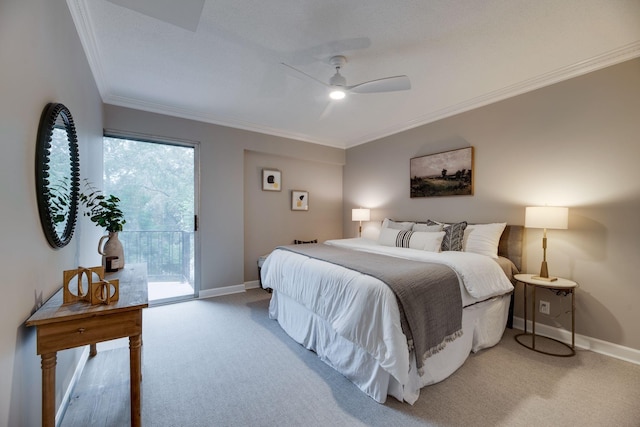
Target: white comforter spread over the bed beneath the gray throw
(361, 308)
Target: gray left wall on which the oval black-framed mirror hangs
(42, 61)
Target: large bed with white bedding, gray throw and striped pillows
(355, 321)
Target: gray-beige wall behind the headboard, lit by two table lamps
(572, 144)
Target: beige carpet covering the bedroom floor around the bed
(222, 362)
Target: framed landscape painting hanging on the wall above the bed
(442, 174)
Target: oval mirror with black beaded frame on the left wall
(57, 174)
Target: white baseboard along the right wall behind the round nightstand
(583, 342)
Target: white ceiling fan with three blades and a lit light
(338, 84)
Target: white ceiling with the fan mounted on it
(219, 61)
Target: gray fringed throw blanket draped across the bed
(428, 294)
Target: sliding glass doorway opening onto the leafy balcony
(156, 182)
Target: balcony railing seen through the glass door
(168, 254)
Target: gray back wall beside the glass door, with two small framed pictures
(224, 219)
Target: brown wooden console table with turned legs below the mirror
(62, 326)
